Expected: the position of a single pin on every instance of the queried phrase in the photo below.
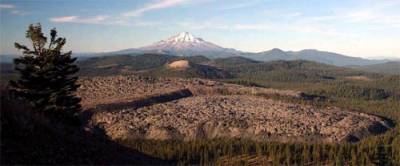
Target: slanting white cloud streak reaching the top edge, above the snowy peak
(154, 6)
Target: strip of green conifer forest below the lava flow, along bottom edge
(210, 152)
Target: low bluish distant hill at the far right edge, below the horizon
(386, 68)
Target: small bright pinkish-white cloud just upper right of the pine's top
(76, 19)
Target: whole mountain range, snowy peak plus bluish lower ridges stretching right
(185, 44)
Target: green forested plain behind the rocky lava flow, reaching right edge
(318, 79)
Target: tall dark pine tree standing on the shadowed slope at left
(47, 76)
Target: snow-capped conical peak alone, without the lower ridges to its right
(185, 44)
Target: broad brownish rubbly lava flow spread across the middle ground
(199, 115)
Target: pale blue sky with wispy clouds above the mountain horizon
(360, 28)
